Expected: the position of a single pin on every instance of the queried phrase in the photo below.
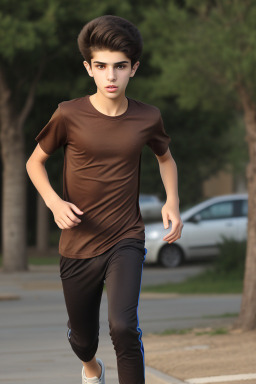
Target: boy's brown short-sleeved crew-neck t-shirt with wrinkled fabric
(101, 173)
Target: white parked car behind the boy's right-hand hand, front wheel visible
(204, 226)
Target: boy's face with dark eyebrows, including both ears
(111, 68)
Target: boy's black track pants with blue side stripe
(83, 280)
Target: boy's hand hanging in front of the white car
(170, 212)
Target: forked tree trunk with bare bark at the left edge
(14, 233)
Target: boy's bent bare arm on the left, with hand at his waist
(63, 215)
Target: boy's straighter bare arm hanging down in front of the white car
(170, 210)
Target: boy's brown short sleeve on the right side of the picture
(158, 140)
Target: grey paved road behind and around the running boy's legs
(33, 344)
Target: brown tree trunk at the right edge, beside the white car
(247, 316)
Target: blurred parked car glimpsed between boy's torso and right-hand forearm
(150, 207)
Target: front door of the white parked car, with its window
(214, 221)
